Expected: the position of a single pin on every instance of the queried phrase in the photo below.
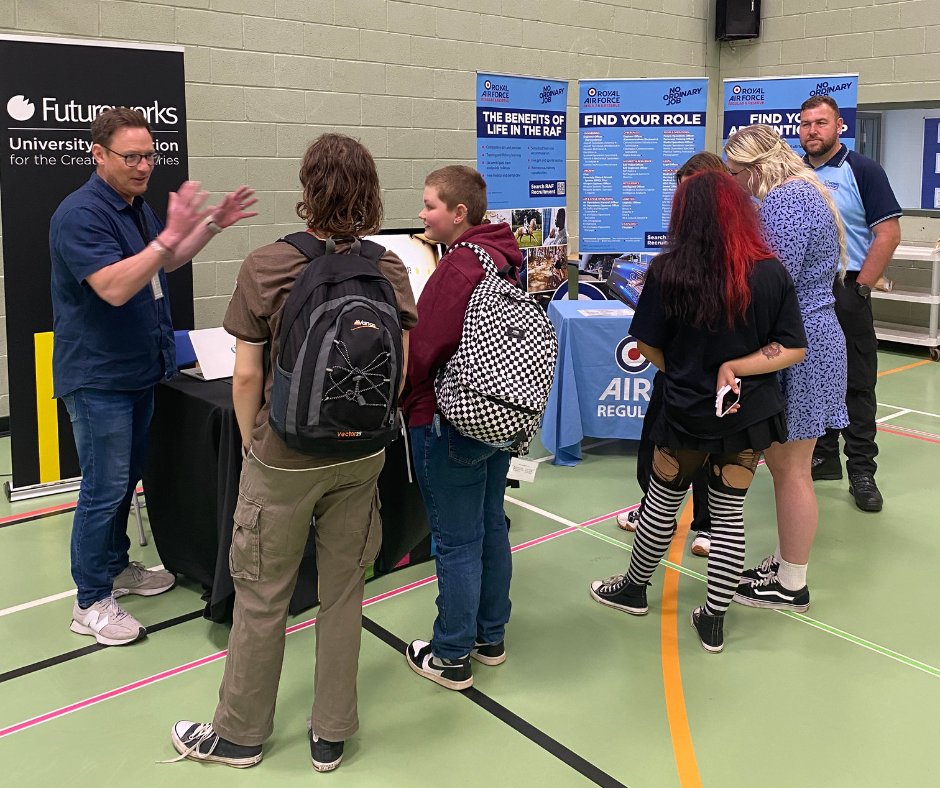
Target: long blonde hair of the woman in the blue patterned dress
(772, 162)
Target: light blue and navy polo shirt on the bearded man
(863, 195)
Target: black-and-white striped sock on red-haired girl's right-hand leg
(726, 556)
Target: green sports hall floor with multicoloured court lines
(846, 695)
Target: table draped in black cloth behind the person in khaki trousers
(191, 485)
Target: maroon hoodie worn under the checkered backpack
(441, 311)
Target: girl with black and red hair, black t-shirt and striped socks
(717, 310)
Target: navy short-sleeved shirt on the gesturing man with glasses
(96, 345)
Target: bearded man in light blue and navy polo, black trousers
(870, 212)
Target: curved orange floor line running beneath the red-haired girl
(682, 747)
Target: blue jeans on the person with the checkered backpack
(463, 482)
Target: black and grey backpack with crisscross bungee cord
(339, 364)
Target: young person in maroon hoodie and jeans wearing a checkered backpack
(462, 474)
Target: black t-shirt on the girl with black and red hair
(694, 355)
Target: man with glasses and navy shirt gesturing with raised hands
(113, 341)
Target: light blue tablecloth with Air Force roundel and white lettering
(602, 383)
